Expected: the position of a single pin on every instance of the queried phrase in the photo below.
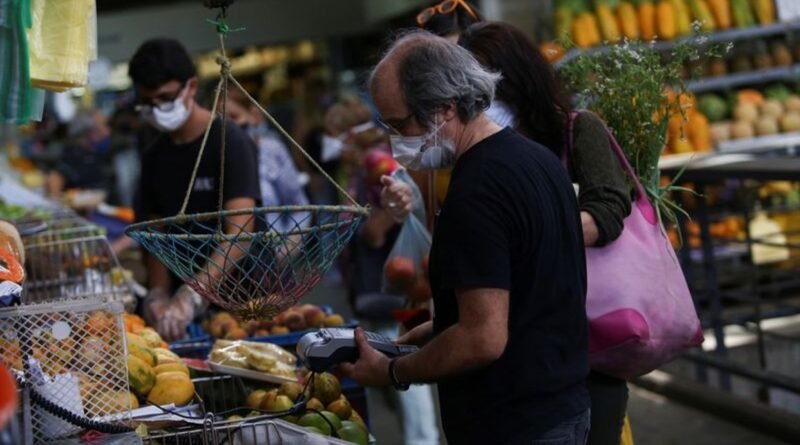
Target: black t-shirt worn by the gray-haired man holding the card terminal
(511, 221)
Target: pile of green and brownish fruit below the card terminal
(327, 410)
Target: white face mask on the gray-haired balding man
(416, 153)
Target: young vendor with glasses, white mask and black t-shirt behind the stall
(165, 82)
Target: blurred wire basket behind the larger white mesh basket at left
(66, 266)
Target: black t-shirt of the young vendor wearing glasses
(167, 169)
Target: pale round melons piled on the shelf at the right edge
(749, 113)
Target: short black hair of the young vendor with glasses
(159, 61)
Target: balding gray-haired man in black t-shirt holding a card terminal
(508, 343)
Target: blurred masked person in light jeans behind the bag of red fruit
(362, 146)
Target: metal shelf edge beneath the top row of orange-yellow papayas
(728, 35)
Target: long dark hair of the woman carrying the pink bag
(529, 85)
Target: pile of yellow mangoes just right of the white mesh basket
(154, 372)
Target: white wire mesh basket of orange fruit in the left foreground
(72, 355)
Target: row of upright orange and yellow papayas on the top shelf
(592, 23)
